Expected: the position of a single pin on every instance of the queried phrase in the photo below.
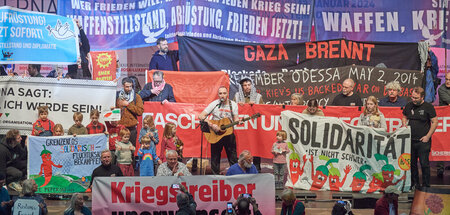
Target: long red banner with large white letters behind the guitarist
(258, 135)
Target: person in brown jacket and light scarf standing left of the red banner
(131, 106)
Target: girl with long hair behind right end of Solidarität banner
(372, 116)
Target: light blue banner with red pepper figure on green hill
(64, 164)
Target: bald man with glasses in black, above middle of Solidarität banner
(347, 97)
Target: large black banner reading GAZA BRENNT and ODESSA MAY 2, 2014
(275, 67)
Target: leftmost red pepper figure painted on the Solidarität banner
(322, 172)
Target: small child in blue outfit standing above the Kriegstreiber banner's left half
(147, 156)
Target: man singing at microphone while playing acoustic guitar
(219, 109)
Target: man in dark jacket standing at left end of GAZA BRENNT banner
(164, 59)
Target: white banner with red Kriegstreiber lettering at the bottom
(151, 195)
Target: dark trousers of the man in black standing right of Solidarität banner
(421, 151)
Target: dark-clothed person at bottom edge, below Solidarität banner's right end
(388, 204)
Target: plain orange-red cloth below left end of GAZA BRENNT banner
(194, 87)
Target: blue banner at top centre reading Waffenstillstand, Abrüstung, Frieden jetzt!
(110, 25)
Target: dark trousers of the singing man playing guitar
(227, 142)
